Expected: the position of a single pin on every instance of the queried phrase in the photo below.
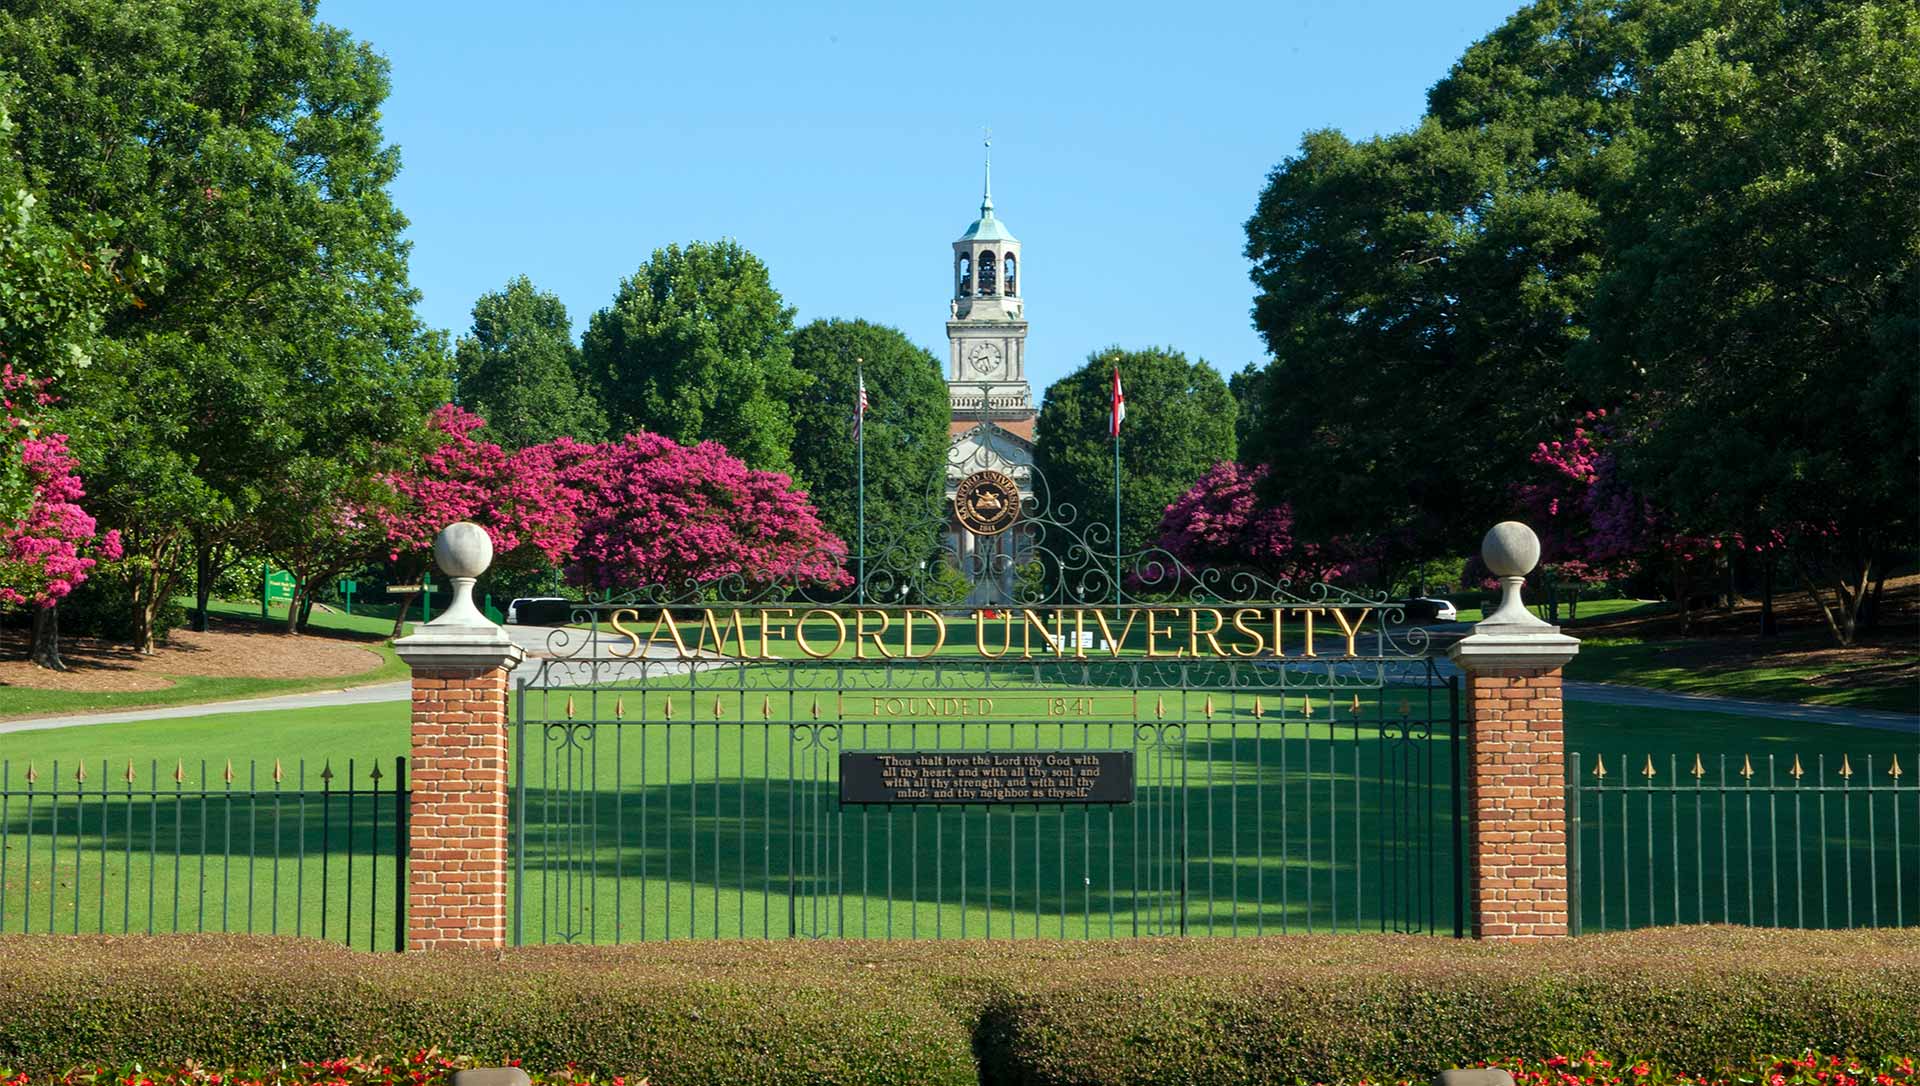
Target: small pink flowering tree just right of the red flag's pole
(1222, 523)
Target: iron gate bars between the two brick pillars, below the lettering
(667, 814)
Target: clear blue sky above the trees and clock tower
(842, 143)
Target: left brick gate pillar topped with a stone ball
(458, 813)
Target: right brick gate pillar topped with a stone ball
(1516, 757)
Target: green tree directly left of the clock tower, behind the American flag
(905, 438)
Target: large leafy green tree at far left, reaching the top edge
(235, 154)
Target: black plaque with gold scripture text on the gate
(988, 776)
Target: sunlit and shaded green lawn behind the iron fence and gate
(748, 839)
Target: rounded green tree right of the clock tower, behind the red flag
(1180, 423)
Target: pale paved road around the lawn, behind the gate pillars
(604, 663)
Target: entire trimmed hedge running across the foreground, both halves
(1272, 1010)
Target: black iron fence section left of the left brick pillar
(233, 849)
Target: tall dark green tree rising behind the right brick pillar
(1420, 291)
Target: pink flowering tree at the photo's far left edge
(51, 550)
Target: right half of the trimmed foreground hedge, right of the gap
(1389, 1008)
